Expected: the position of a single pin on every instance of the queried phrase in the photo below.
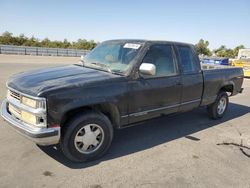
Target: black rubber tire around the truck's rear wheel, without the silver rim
(213, 108)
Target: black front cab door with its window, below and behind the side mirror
(159, 94)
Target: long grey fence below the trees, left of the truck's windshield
(40, 51)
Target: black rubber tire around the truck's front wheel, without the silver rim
(71, 128)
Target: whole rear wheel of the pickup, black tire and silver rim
(219, 107)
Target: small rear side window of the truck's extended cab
(188, 62)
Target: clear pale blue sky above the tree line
(221, 22)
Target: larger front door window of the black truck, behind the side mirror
(162, 56)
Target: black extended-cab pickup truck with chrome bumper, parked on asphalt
(119, 83)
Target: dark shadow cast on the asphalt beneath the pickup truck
(152, 133)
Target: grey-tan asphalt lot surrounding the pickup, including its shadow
(185, 150)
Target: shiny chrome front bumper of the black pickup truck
(41, 136)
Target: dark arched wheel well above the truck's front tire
(110, 110)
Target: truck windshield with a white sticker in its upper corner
(114, 57)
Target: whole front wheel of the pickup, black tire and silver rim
(86, 137)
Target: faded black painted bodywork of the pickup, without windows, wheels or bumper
(69, 87)
